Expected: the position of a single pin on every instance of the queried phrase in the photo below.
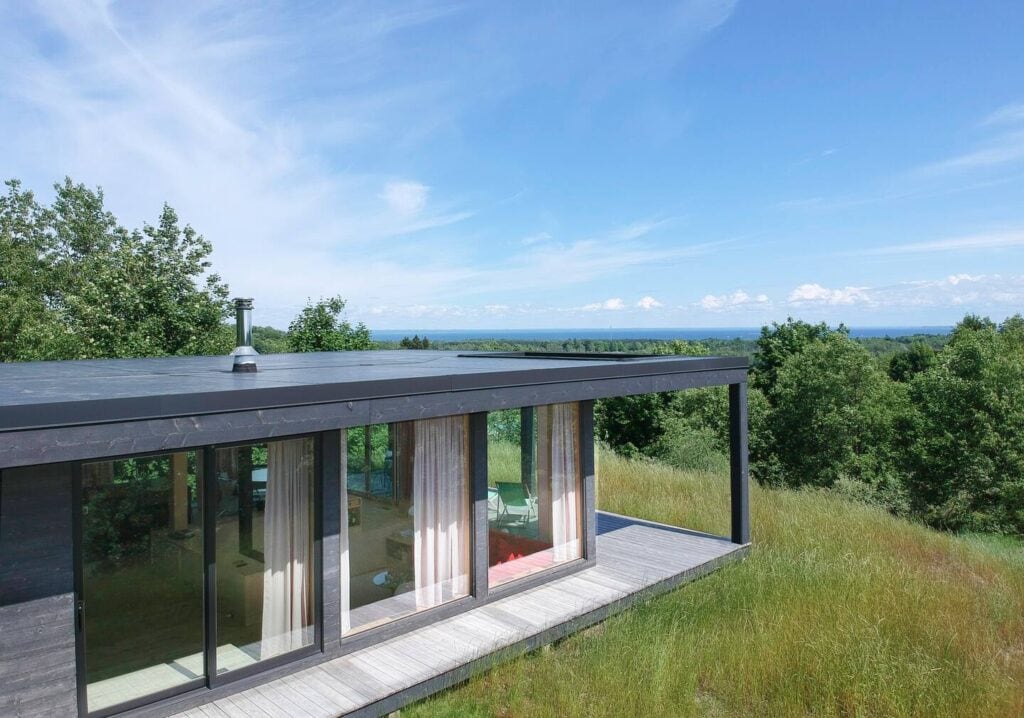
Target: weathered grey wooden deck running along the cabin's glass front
(636, 560)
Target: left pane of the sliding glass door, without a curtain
(142, 553)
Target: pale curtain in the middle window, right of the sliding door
(441, 511)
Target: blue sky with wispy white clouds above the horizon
(526, 165)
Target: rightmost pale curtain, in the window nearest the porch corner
(559, 480)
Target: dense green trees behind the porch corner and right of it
(935, 431)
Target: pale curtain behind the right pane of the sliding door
(288, 587)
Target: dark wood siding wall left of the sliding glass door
(37, 603)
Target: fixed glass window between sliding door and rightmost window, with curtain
(407, 547)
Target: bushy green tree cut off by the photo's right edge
(967, 454)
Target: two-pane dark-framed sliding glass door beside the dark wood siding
(180, 554)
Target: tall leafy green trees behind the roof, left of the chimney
(75, 284)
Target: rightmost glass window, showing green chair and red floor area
(534, 490)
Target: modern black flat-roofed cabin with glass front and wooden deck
(334, 534)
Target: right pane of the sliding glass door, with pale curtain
(265, 552)
